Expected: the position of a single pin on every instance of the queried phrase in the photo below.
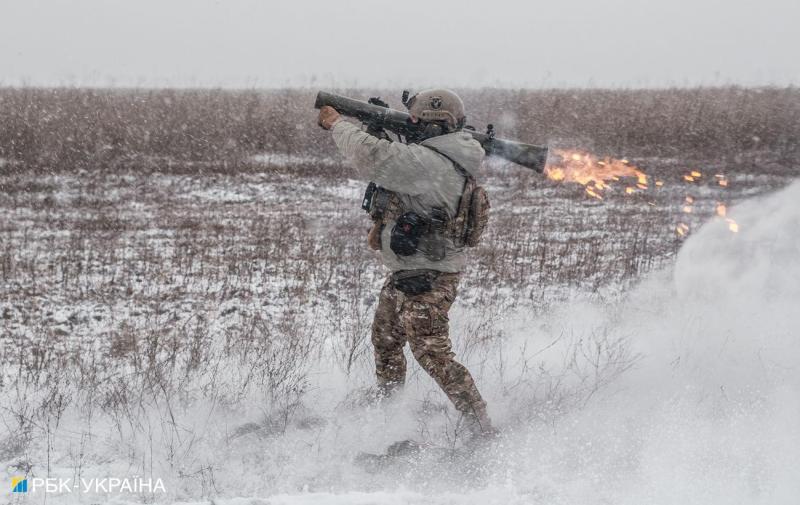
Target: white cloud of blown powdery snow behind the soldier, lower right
(710, 412)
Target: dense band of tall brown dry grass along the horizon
(66, 129)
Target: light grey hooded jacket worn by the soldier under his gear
(422, 177)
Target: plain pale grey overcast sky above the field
(246, 43)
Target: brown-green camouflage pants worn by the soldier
(421, 320)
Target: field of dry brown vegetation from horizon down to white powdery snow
(163, 248)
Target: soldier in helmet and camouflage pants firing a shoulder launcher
(417, 228)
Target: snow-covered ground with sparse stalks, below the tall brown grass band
(147, 318)
